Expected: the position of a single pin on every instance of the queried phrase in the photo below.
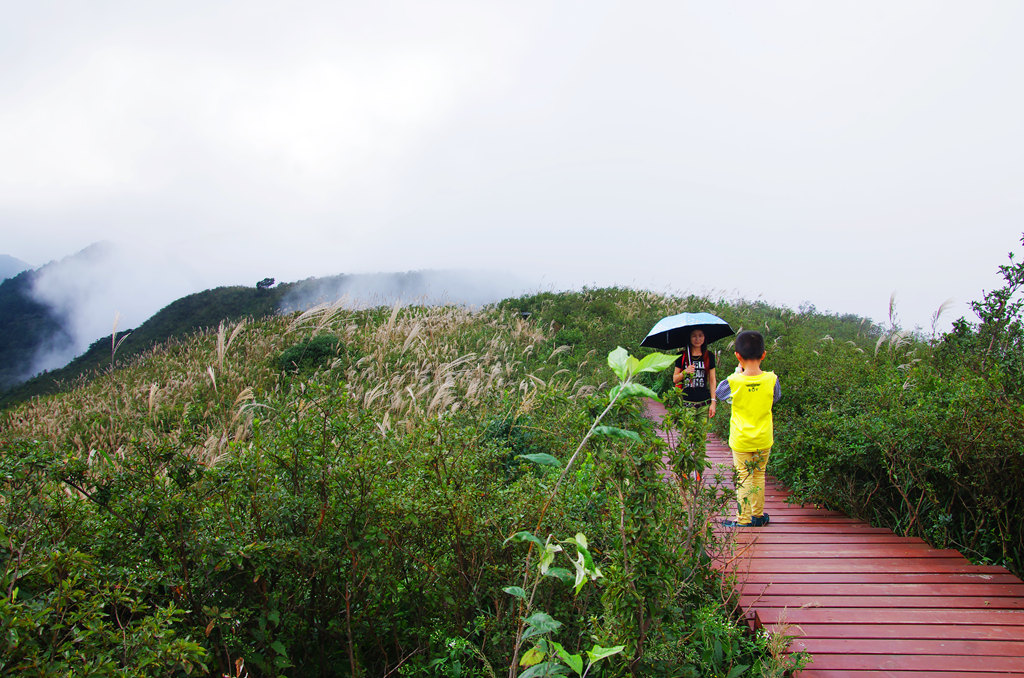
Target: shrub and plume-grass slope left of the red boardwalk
(223, 506)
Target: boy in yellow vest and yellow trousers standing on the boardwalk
(751, 431)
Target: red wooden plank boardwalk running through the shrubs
(866, 603)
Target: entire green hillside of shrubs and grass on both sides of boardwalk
(440, 492)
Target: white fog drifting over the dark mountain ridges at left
(88, 295)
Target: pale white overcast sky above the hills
(825, 152)
